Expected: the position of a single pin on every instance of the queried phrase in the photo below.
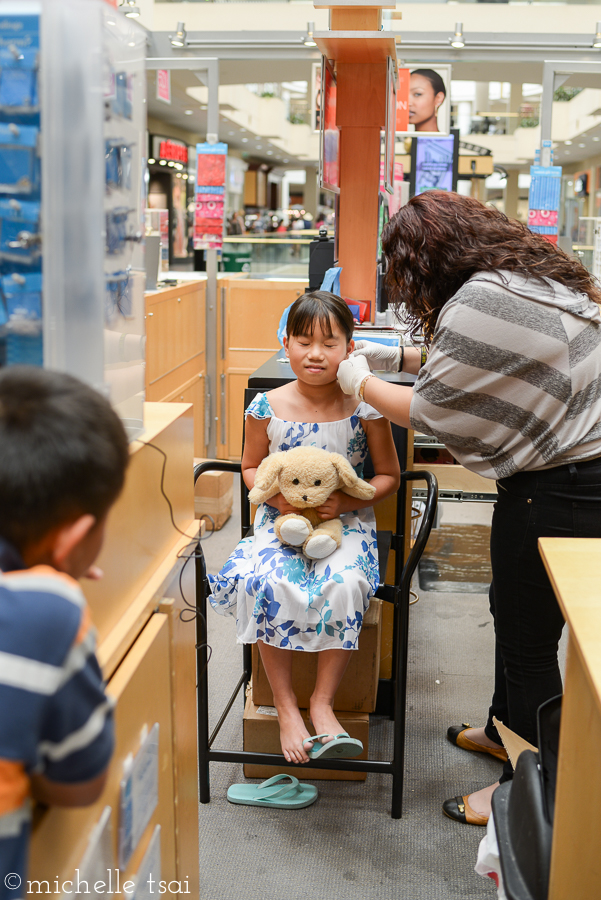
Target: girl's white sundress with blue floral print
(277, 594)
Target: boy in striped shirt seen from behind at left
(63, 456)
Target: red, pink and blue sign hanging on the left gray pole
(209, 210)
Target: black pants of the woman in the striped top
(560, 502)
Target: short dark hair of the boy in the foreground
(63, 452)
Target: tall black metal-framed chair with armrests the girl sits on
(398, 594)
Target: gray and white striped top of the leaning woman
(513, 377)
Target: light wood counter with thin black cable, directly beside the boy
(147, 655)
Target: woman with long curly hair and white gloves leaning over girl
(512, 387)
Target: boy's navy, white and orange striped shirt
(55, 718)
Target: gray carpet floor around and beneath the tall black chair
(346, 845)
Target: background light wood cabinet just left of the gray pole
(176, 351)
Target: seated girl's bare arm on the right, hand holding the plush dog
(386, 466)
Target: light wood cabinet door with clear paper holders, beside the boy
(142, 692)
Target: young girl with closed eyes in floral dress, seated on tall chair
(283, 600)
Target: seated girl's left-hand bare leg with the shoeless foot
(278, 666)
